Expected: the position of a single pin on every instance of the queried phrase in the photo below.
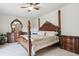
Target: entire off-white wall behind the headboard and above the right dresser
(69, 19)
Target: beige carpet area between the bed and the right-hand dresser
(56, 51)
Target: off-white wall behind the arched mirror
(6, 20)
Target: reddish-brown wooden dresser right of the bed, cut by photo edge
(70, 43)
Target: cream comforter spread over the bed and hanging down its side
(39, 42)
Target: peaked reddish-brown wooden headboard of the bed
(47, 26)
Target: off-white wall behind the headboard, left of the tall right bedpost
(51, 17)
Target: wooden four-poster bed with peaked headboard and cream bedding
(33, 43)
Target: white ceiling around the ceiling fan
(13, 9)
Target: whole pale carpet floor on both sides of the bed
(14, 49)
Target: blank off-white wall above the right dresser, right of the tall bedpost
(70, 20)
